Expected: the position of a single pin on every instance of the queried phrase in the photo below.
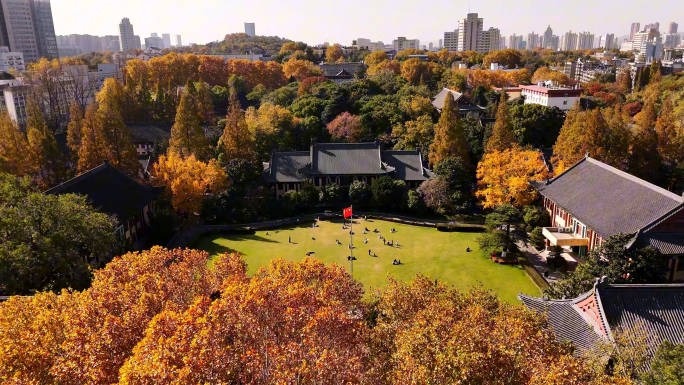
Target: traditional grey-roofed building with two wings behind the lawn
(343, 163)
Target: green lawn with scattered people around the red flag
(438, 255)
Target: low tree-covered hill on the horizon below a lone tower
(240, 44)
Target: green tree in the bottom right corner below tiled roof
(667, 366)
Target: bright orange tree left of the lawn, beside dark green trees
(189, 180)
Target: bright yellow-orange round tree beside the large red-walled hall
(503, 177)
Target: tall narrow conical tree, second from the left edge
(48, 159)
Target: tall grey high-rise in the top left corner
(26, 26)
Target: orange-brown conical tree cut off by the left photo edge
(14, 148)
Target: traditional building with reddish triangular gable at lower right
(595, 316)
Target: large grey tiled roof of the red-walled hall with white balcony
(608, 200)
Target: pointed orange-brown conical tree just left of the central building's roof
(236, 142)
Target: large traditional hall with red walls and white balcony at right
(592, 201)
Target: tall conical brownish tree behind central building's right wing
(450, 139)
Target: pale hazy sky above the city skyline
(342, 21)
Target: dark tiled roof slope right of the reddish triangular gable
(658, 308)
